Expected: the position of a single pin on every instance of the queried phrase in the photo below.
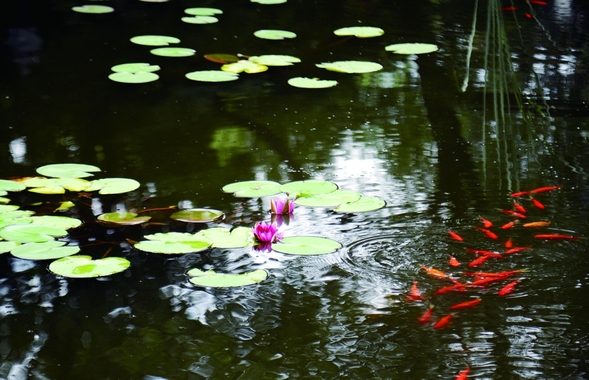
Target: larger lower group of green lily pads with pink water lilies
(44, 237)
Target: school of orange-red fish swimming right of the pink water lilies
(465, 282)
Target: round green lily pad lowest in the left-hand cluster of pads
(82, 266)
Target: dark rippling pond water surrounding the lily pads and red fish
(444, 138)
